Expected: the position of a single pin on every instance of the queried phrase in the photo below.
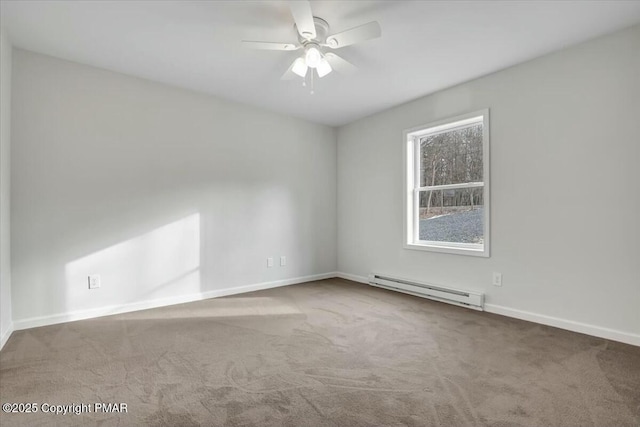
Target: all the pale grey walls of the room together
(167, 193)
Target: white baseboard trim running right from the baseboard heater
(570, 325)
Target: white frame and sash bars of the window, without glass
(411, 168)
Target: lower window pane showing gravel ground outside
(452, 215)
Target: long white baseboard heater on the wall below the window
(463, 298)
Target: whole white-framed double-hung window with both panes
(447, 186)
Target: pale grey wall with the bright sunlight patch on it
(165, 193)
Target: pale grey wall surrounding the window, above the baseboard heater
(565, 162)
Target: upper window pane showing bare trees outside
(451, 157)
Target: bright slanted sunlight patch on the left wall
(161, 263)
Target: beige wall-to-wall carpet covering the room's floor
(329, 353)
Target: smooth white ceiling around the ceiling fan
(425, 46)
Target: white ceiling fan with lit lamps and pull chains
(314, 40)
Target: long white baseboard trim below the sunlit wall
(35, 322)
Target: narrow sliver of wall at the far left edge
(5, 142)
